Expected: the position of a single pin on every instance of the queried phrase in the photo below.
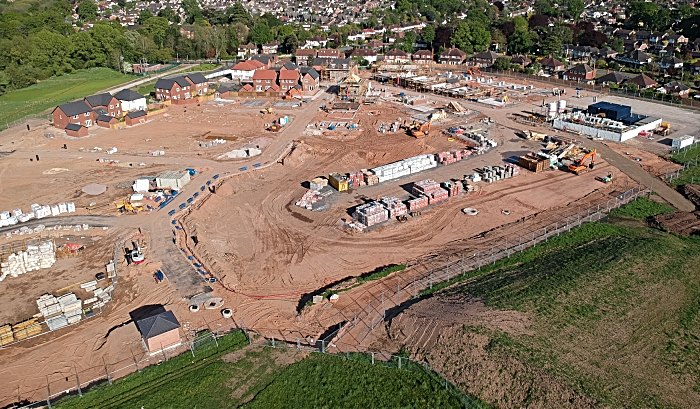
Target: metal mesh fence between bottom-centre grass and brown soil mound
(356, 353)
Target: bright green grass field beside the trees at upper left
(55, 91)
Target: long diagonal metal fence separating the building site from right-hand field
(401, 288)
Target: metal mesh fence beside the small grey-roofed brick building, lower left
(77, 382)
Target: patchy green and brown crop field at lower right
(615, 313)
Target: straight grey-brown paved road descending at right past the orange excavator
(640, 175)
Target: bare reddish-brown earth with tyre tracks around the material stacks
(251, 234)
